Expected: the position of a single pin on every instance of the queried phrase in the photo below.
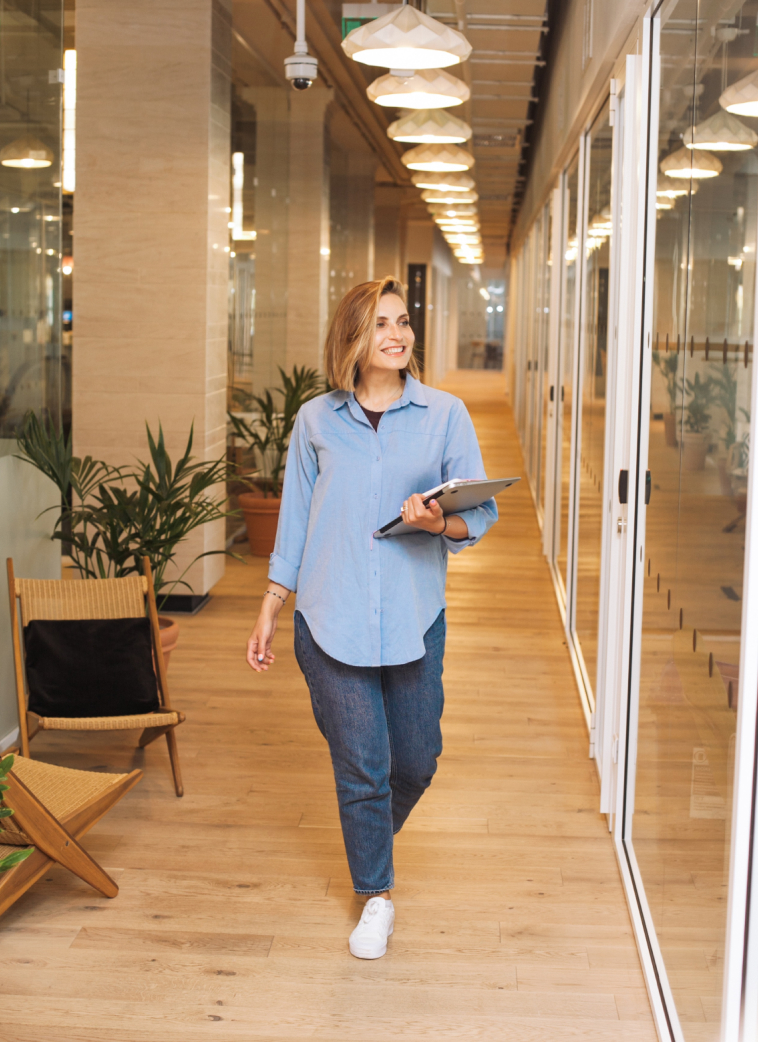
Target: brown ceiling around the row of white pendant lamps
(507, 37)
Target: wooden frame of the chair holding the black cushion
(31, 724)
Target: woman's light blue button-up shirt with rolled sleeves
(370, 602)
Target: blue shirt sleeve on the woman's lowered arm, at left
(301, 475)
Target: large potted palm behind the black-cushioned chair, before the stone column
(112, 517)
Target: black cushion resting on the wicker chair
(90, 667)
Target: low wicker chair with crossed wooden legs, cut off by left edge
(53, 808)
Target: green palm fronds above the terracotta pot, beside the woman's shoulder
(268, 436)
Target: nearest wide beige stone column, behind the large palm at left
(152, 270)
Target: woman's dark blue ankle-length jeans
(383, 729)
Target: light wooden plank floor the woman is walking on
(236, 903)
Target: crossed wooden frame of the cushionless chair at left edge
(56, 840)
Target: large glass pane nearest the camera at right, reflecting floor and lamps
(699, 449)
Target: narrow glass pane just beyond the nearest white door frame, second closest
(594, 366)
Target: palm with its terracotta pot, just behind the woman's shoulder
(267, 438)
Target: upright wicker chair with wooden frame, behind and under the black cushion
(93, 600)
